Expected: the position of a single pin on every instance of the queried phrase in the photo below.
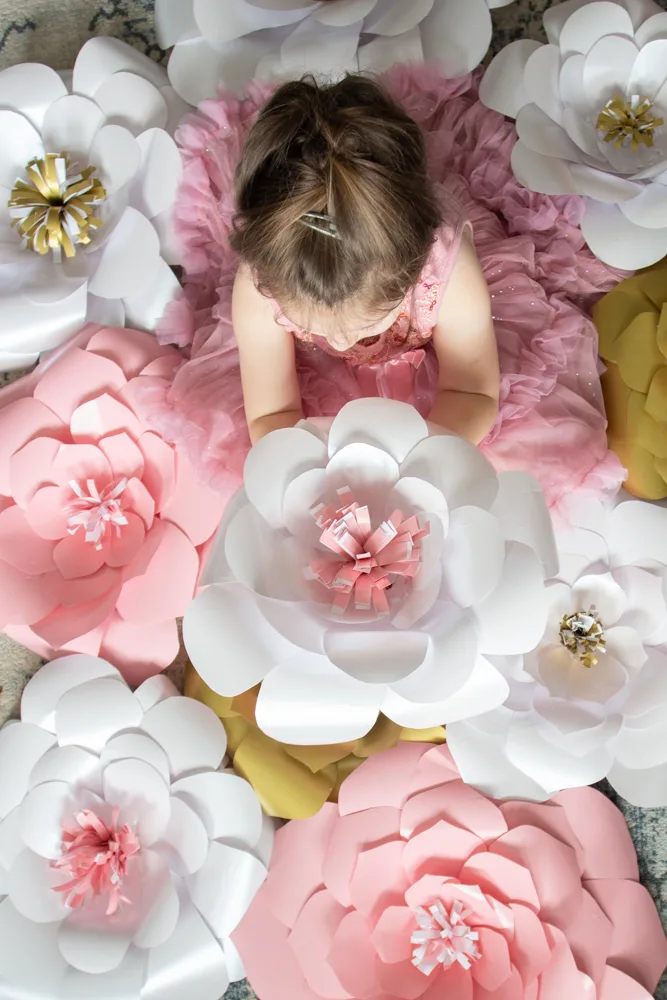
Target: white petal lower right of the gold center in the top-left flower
(129, 258)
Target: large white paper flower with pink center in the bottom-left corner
(128, 854)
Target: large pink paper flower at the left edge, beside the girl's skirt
(102, 525)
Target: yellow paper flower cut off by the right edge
(632, 324)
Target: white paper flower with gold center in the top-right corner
(591, 116)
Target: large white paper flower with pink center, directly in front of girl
(373, 569)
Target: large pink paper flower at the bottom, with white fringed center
(415, 885)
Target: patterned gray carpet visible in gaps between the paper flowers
(52, 31)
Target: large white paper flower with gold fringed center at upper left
(88, 177)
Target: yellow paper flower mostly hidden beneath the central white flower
(294, 782)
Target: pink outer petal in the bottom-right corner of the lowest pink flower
(638, 946)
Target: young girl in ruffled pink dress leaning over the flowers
(364, 255)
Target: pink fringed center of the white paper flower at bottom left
(95, 855)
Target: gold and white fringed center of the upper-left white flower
(53, 209)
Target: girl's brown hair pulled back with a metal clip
(349, 151)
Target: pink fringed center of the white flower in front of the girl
(371, 559)
